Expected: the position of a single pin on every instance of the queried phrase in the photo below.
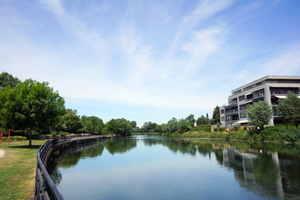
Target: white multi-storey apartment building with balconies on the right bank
(268, 88)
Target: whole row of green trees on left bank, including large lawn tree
(34, 106)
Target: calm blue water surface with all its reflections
(153, 167)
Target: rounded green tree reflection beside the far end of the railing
(120, 145)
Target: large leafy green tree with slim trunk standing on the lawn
(31, 105)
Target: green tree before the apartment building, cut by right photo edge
(289, 109)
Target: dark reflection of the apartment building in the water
(269, 173)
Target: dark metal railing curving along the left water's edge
(45, 188)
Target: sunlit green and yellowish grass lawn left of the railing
(17, 169)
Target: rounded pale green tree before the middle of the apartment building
(259, 113)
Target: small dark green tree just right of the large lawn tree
(72, 121)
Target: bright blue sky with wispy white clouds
(148, 60)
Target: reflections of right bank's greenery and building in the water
(264, 168)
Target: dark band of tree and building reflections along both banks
(270, 170)
